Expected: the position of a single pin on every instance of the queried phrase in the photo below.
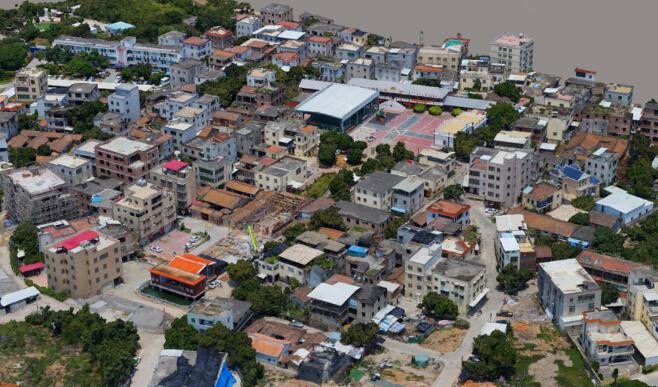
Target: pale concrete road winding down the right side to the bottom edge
(452, 361)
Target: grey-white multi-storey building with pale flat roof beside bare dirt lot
(566, 291)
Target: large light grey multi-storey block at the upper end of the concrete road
(499, 176)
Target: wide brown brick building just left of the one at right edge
(598, 119)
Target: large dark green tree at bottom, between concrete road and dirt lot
(497, 357)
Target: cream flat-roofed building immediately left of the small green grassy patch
(287, 172)
